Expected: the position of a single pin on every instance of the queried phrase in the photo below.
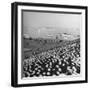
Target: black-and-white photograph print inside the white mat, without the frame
(51, 44)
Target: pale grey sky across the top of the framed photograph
(41, 24)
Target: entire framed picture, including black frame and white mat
(51, 44)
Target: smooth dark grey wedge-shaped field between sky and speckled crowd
(35, 46)
